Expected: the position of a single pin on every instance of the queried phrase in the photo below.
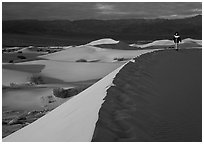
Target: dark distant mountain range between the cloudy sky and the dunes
(127, 30)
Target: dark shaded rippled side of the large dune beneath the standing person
(157, 98)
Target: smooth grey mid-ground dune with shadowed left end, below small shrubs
(56, 70)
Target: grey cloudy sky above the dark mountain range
(114, 10)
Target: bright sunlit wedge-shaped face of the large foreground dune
(70, 119)
